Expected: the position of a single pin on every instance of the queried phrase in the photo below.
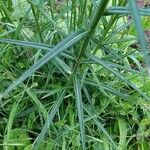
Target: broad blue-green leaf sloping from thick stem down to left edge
(63, 45)
